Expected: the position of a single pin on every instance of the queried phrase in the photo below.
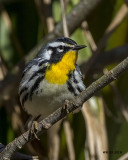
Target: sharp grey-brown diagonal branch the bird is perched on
(59, 114)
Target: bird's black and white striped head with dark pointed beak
(54, 50)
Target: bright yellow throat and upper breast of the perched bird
(58, 73)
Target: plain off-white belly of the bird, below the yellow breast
(50, 98)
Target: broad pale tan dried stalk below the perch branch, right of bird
(96, 140)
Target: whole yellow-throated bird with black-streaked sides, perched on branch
(51, 78)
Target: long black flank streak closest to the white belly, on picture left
(35, 86)
